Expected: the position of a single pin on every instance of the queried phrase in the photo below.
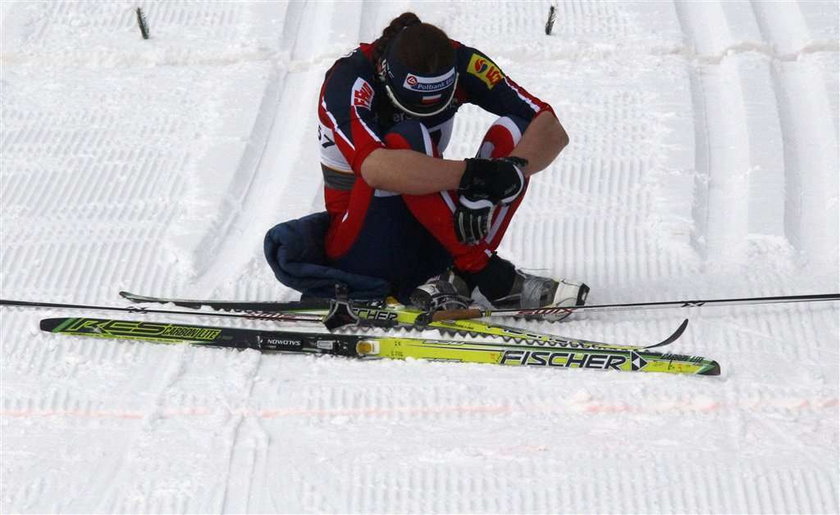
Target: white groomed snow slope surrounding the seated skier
(703, 164)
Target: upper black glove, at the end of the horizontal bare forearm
(496, 180)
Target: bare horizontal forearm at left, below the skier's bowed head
(410, 172)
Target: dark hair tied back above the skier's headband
(423, 47)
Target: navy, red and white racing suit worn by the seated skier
(406, 239)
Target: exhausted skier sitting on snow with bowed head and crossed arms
(398, 214)
